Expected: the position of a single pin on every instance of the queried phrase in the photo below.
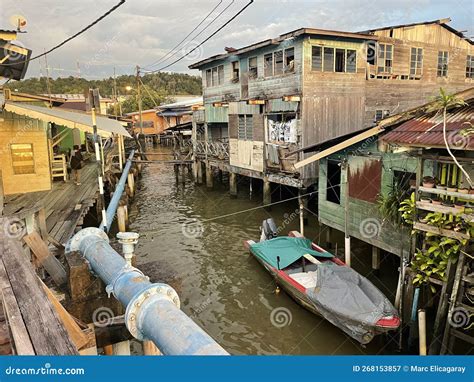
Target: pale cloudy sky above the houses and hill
(142, 32)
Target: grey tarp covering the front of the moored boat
(349, 301)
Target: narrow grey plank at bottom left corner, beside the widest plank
(17, 329)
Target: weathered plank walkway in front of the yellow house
(65, 205)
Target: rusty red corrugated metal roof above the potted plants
(427, 130)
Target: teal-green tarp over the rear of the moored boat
(289, 249)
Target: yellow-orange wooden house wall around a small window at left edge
(21, 130)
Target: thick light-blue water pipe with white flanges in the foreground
(152, 310)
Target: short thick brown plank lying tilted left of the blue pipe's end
(52, 265)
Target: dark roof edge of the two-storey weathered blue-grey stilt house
(283, 37)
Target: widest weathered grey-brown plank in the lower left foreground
(47, 332)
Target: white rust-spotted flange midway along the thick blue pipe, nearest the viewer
(162, 291)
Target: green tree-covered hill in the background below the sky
(162, 83)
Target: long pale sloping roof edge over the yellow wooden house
(73, 120)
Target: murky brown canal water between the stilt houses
(220, 285)
